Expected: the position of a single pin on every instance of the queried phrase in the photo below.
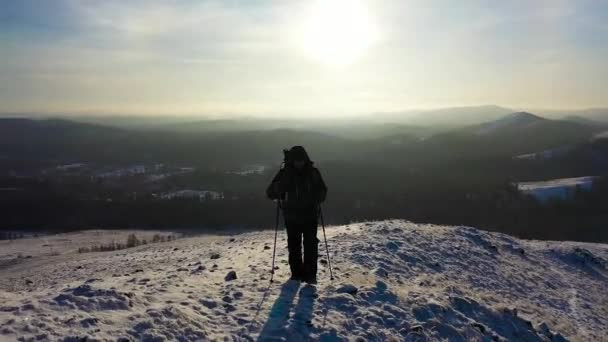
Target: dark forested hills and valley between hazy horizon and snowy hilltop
(58, 174)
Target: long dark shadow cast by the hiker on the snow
(279, 325)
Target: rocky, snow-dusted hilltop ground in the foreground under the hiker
(394, 281)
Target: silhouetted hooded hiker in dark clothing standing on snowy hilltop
(300, 189)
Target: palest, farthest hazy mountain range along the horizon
(449, 117)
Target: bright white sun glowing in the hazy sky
(337, 32)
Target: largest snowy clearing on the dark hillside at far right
(562, 188)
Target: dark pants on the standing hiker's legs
(298, 232)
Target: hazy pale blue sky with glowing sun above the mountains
(335, 57)
